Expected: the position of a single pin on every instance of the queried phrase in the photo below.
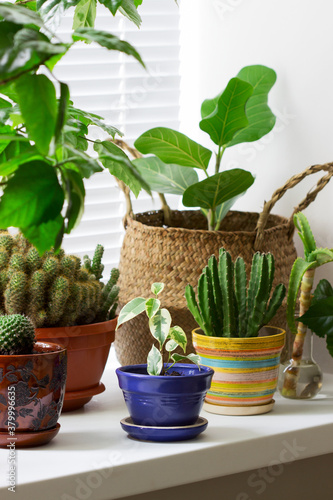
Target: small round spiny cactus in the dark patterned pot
(17, 334)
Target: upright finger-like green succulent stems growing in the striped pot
(227, 305)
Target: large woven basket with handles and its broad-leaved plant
(180, 242)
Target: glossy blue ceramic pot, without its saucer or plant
(164, 400)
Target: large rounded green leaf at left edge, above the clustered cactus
(32, 196)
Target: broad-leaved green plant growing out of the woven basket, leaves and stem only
(238, 114)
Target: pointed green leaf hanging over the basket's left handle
(119, 165)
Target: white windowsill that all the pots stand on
(93, 458)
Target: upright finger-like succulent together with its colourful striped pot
(231, 314)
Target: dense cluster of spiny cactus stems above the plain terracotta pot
(55, 289)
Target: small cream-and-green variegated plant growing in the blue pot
(168, 338)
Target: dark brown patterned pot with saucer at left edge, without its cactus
(32, 389)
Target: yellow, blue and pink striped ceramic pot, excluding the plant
(245, 370)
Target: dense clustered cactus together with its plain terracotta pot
(68, 304)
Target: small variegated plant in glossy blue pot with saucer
(164, 397)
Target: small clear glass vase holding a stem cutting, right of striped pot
(305, 374)
